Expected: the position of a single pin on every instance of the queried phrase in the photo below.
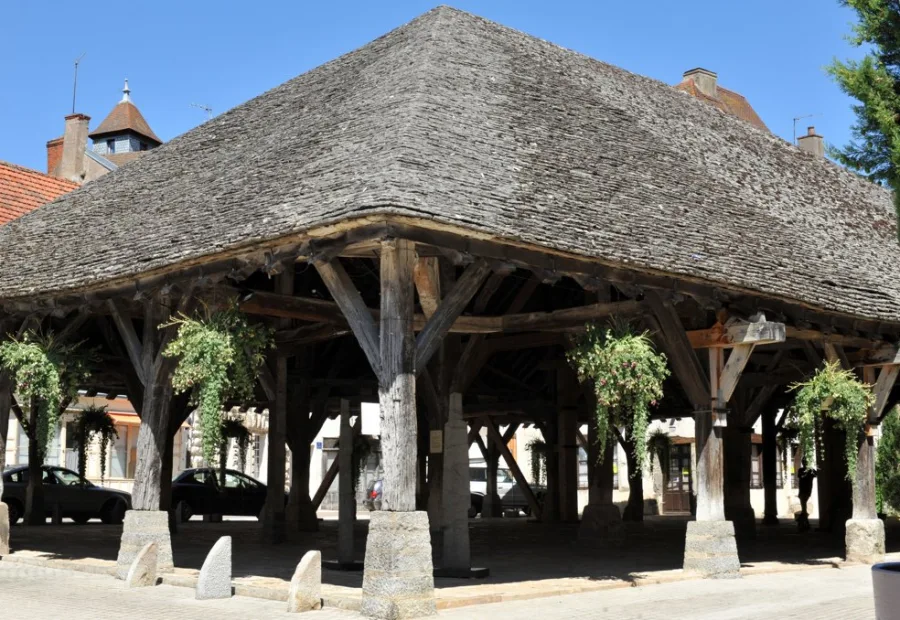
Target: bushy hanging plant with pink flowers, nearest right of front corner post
(627, 374)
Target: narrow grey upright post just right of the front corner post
(456, 498)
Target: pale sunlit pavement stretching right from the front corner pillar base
(826, 594)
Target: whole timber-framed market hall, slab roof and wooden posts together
(445, 269)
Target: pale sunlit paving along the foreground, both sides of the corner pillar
(28, 593)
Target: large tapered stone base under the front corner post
(398, 579)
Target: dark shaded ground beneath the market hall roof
(514, 549)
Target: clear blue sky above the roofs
(224, 53)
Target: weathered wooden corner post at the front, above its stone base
(397, 387)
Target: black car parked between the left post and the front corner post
(199, 492)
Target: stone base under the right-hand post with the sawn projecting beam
(710, 549)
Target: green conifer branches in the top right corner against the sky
(875, 82)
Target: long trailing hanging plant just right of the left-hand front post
(219, 359)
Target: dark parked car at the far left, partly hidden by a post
(78, 498)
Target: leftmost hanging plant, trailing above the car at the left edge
(47, 375)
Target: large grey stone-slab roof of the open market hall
(460, 122)
